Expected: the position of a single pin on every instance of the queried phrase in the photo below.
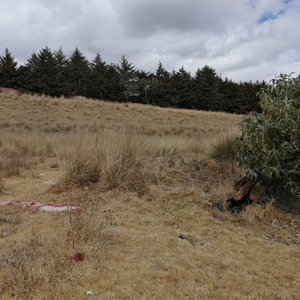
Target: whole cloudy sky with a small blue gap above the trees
(242, 39)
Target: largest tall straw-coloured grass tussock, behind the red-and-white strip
(115, 159)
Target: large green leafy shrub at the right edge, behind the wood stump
(271, 139)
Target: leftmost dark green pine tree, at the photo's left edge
(8, 70)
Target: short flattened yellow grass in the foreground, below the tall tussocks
(169, 248)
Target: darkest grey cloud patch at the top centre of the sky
(149, 17)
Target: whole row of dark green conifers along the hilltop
(55, 74)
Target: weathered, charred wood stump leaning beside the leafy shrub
(241, 198)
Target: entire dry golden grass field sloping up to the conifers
(149, 228)
